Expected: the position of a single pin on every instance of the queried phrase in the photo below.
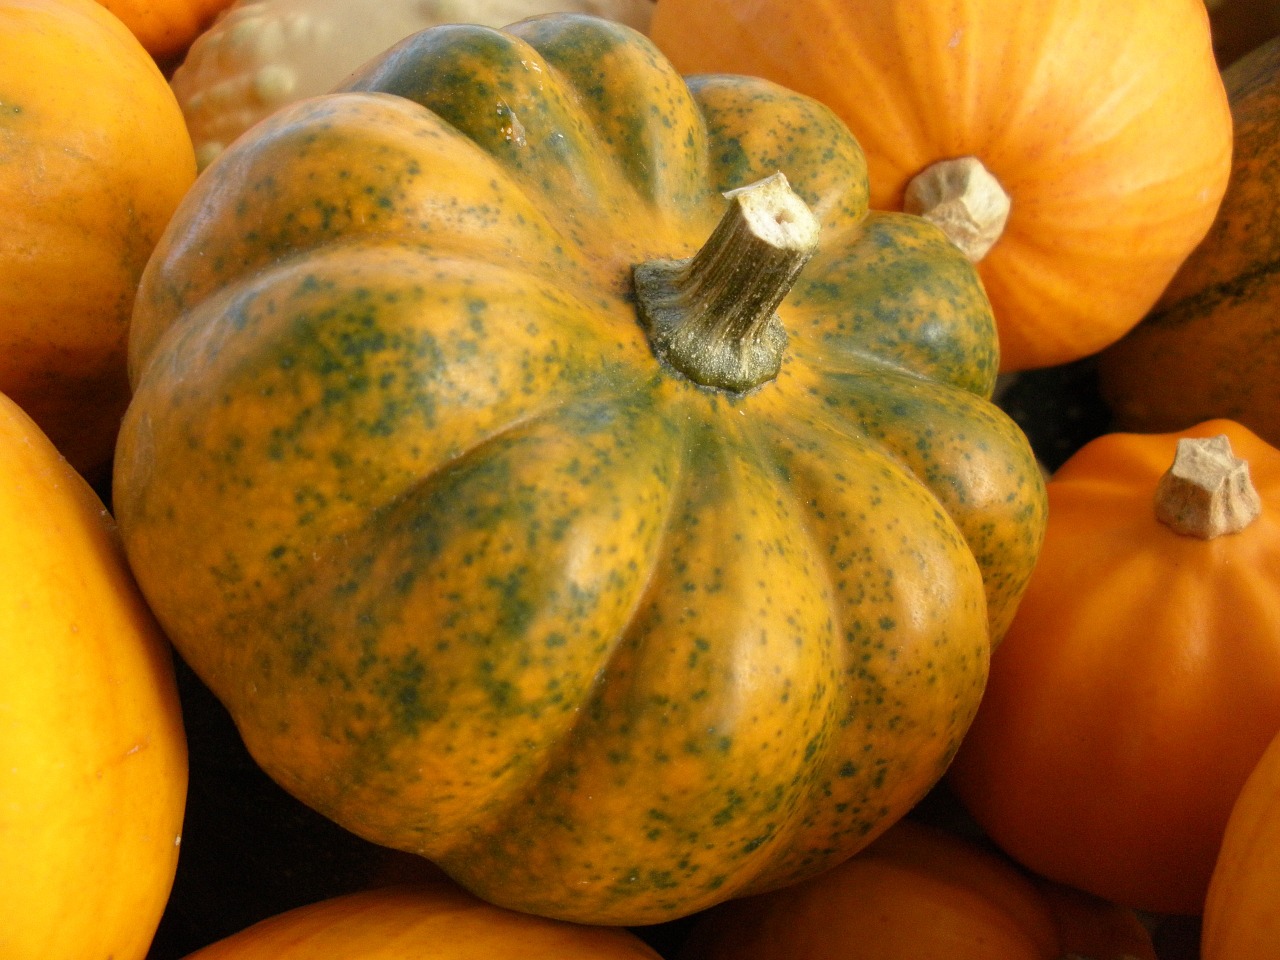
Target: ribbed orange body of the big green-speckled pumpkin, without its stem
(481, 578)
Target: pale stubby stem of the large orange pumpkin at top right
(966, 200)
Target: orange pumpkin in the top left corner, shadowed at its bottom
(89, 185)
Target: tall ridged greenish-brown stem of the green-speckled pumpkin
(712, 316)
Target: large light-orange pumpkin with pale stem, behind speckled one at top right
(1085, 147)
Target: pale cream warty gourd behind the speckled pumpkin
(264, 54)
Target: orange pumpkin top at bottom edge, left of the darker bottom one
(433, 921)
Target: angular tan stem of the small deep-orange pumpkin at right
(1208, 492)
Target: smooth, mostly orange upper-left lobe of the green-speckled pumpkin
(405, 185)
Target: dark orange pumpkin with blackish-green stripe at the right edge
(1209, 348)
